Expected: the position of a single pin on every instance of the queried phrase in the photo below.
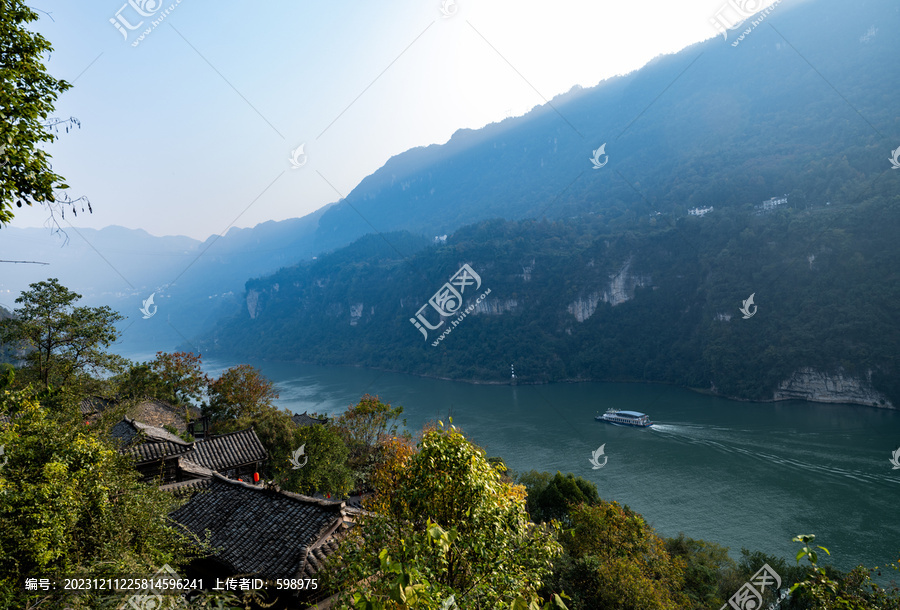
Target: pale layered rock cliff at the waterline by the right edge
(810, 384)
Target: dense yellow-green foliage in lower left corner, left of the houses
(71, 504)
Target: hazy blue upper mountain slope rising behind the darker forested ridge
(794, 108)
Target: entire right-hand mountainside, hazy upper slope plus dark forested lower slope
(621, 281)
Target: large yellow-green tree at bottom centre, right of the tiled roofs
(492, 555)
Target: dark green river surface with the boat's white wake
(741, 474)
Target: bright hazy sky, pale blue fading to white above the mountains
(192, 130)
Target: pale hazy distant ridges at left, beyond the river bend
(193, 282)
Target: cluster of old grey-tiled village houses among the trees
(258, 530)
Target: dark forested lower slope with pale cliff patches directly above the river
(575, 300)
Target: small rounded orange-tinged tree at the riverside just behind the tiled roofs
(240, 392)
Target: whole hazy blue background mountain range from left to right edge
(791, 110)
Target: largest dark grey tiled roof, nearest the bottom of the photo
(265, 532)
